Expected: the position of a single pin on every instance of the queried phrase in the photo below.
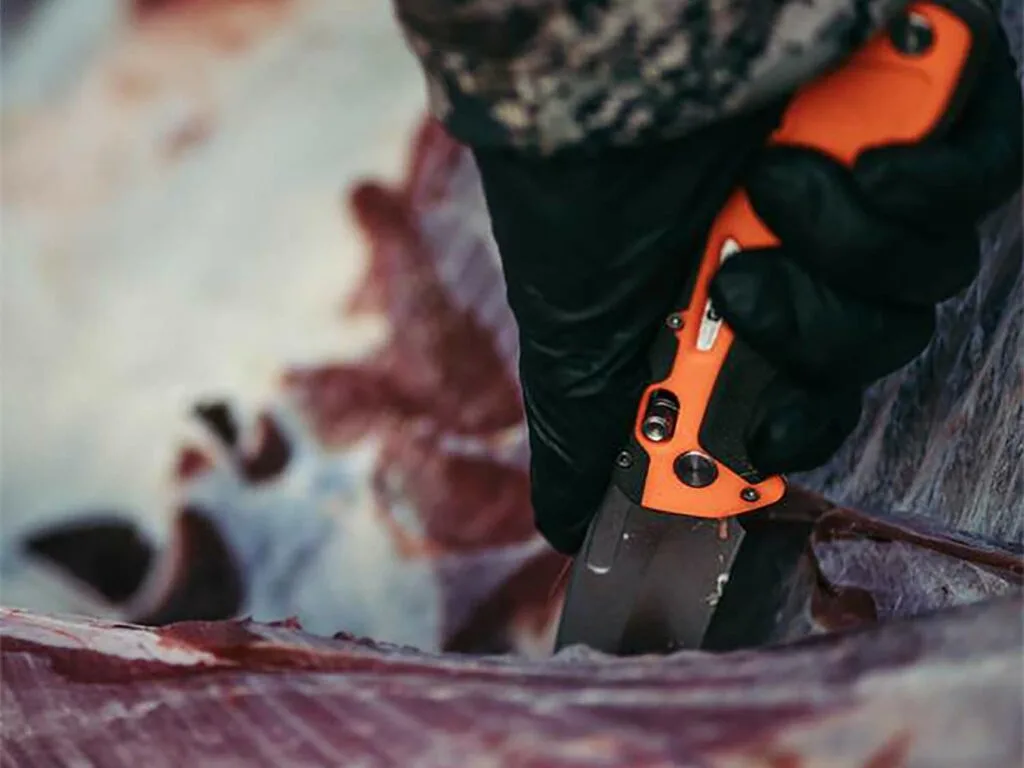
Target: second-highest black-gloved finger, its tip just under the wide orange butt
(812, 203)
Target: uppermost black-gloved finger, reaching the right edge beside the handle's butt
(971, 172)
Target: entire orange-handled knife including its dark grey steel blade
(674, 559)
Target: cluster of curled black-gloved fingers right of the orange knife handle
(850, 296)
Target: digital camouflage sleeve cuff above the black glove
(541, 75)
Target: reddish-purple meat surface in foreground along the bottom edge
(942, 691)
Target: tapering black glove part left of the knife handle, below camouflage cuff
(595, 252)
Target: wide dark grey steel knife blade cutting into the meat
(649, 582)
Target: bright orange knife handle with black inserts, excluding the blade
(687, 455)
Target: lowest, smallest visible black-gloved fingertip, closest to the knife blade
(796, 430)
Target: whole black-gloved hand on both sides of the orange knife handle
(596, 249)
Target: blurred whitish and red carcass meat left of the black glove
(255, 316)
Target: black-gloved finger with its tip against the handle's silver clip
(810, 331)
